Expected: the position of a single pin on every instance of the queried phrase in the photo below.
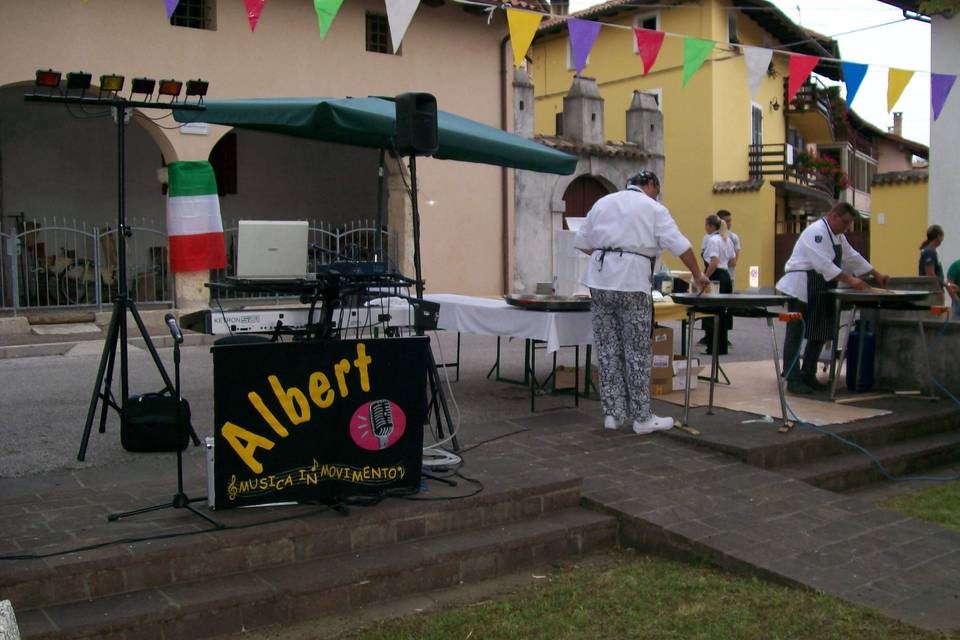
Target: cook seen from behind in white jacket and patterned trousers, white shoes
(625, 232)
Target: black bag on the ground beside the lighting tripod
(151, 424)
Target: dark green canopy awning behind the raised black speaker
(369, 122)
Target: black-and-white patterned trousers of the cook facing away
(621, 337)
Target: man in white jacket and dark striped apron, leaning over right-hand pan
(821, 259)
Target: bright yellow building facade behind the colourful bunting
(709, 125)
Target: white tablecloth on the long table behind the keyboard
(491, 317)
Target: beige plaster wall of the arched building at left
(447, 52)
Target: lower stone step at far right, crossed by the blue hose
(853, 469)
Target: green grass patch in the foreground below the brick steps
(629, 596)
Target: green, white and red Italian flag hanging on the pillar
(193, 218)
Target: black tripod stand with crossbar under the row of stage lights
(117, 329)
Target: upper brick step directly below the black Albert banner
(119, 569)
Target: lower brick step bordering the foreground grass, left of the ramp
(332, 585)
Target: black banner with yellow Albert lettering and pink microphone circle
(305, 421)
